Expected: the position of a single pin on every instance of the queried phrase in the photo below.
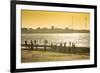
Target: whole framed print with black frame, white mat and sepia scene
(52, 36)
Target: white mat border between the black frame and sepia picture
(51, 64)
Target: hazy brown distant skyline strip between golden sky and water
(52, 30)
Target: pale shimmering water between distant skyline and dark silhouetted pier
(81, 39)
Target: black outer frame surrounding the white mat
(13, 36)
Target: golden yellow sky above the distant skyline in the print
(34, 19)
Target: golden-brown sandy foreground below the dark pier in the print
(42, 56)
